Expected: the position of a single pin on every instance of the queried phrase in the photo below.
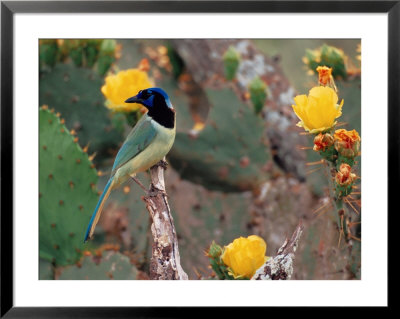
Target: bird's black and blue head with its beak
(157, 102)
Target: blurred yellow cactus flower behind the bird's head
(121, 86)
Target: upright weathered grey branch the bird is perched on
(165, 261)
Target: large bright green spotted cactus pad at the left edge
(67, 191)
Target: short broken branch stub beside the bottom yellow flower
(280, 267)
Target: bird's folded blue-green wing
(138, 139)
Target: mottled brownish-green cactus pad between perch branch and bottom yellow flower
(200, 216)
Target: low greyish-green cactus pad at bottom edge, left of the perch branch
(112, 265)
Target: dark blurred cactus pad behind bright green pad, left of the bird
(75, 92)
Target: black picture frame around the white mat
(9, 8)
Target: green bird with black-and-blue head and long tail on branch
(148, 142)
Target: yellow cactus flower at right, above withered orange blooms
(318, 111)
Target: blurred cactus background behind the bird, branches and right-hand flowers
(239, 165)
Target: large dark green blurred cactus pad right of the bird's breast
(230, 153)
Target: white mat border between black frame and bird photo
(371, 290)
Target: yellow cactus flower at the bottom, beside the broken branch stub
(245, 255)
